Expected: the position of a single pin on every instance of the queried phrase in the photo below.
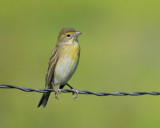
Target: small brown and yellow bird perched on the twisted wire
(62, 63)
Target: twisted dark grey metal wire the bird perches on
(6, 86)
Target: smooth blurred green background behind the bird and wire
(120, 51)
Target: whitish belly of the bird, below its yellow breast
(64, 70)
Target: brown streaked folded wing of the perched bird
(51, 67)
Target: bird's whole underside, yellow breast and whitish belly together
(67, 64)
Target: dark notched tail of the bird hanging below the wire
(44, 99)
